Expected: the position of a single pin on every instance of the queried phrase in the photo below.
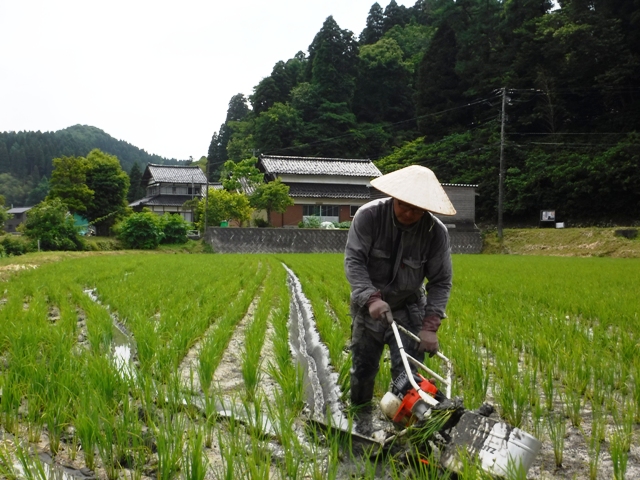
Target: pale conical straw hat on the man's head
(417, 186)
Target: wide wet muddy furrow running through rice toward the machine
(321, 382)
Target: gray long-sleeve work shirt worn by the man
(423, 252)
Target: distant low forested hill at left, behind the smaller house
(25, 158)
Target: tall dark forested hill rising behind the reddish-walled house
(428, 84)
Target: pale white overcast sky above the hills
(156, 74)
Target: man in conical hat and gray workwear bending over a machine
(394, 244)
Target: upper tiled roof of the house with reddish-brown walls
(354, 167)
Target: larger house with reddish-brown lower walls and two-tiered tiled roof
(330, 188)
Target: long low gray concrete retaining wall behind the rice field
(302, 240)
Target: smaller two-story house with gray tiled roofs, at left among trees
(169, 187)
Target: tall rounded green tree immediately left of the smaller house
(110, 185)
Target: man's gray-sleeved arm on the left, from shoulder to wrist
(356, 257)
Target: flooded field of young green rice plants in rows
(552, 342)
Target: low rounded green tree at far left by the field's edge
(51, 223)
